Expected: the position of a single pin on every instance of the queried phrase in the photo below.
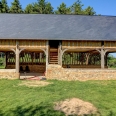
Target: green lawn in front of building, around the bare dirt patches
(18, 100)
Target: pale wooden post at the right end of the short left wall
(17, 57)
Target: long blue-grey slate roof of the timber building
(57, 27)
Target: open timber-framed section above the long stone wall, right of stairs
(85, 54)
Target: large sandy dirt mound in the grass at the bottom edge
(75, 106)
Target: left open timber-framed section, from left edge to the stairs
(24, 58)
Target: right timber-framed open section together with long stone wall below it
(83, 60)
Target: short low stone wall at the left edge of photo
(9, 74)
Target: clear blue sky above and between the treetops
(103, 7)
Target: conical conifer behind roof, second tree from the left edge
(16, 7)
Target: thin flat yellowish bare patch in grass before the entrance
(34, 83)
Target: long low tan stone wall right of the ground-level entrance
(57, 72)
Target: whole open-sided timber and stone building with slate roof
(67, 47)
